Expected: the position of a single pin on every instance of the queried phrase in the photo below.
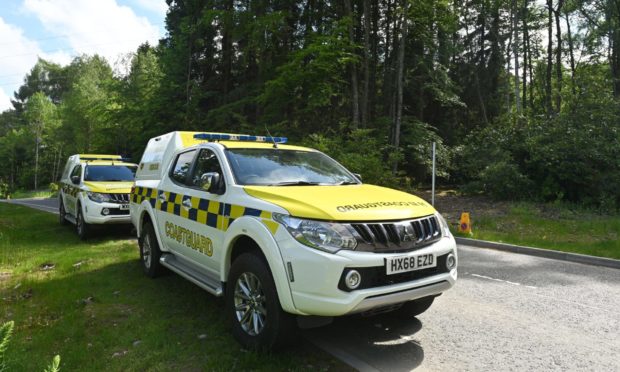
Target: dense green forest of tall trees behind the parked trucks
(522, 97)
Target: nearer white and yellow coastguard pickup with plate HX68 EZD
(284, 232)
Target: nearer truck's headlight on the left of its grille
(326, 236)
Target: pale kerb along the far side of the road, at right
(539, 252)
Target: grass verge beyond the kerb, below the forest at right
(552, 227)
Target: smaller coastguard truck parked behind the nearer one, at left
(95, 191)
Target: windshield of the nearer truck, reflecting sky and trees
(276, 167)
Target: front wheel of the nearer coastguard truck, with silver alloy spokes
(258, 321)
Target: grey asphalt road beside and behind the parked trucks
(507, 312)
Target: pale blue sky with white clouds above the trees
(59, 30)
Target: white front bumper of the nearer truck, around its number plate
(317, 275)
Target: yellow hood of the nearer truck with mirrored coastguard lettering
(343, 203)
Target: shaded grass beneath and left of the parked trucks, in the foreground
(99, 312)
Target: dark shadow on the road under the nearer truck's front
(384, 342)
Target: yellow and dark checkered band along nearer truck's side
(204, 211)
